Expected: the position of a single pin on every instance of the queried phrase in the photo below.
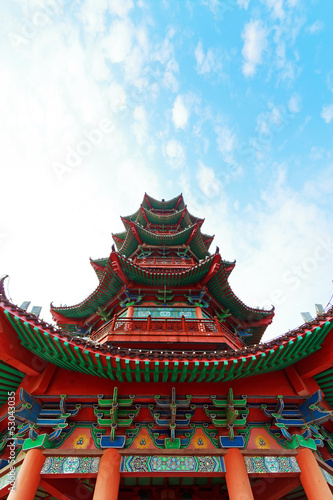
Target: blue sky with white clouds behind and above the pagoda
(229, 102)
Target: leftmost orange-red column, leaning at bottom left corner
(28, 477)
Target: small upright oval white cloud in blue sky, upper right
(255, 43)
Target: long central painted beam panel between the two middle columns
(138, 463)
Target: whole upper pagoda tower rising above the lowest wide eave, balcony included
(160, 267)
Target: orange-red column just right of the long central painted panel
(238, 483)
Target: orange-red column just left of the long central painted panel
(108, 477)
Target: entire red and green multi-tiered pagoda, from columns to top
(157, 386)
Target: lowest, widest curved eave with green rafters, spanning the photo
(122, 364)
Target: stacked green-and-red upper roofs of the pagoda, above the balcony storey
(163, 246)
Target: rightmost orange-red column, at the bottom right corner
(312, 479)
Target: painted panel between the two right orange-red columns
(271, 464)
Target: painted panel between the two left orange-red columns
(70, 465)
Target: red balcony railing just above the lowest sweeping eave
(167, 327)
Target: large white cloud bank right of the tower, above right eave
(281, 273)
